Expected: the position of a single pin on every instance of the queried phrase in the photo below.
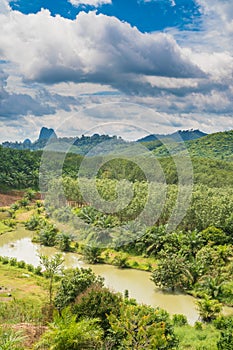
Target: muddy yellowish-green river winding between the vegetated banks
(138, 283)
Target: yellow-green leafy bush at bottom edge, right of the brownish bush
(143, 327)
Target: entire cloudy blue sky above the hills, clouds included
(123, 67)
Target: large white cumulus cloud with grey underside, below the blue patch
(93, 48)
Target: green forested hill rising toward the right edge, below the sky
(214, 146)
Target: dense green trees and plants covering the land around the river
(72, 309)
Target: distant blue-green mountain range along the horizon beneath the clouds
(199, 144)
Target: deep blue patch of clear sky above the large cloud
(147, 16)
